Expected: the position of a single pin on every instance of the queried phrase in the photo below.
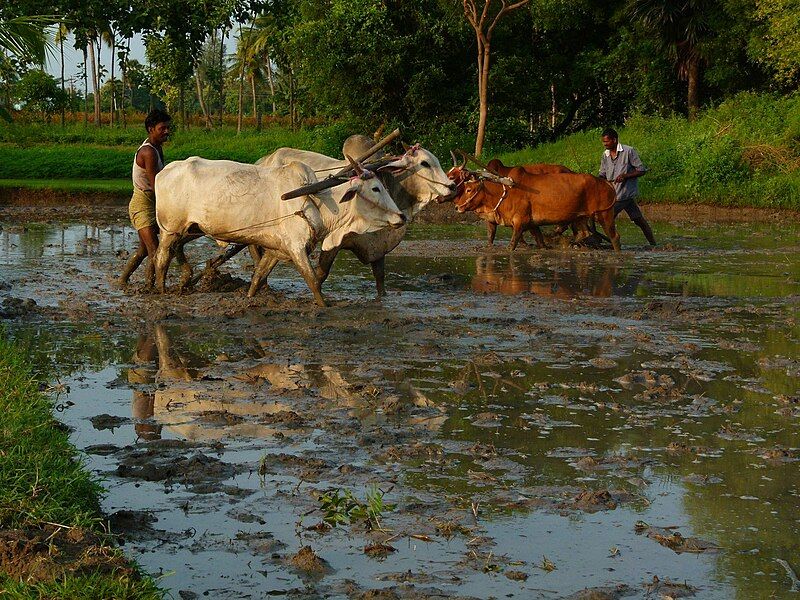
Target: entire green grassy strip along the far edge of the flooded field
(745, 152)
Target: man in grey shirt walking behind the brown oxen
(621, 165)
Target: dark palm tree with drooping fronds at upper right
(680, 27)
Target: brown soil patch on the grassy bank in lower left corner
(49, 554)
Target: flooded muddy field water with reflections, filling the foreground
(540, 423)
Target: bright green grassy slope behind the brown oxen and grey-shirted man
(746, 152)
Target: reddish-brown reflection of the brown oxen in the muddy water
(573, 278)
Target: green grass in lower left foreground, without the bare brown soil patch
(42, 481)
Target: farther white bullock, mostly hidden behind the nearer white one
(413, 180)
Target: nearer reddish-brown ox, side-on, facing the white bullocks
(550, 199)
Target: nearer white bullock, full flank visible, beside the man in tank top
(241, 204)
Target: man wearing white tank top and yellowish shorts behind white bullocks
(147, 162)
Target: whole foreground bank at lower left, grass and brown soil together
(51, 528)
